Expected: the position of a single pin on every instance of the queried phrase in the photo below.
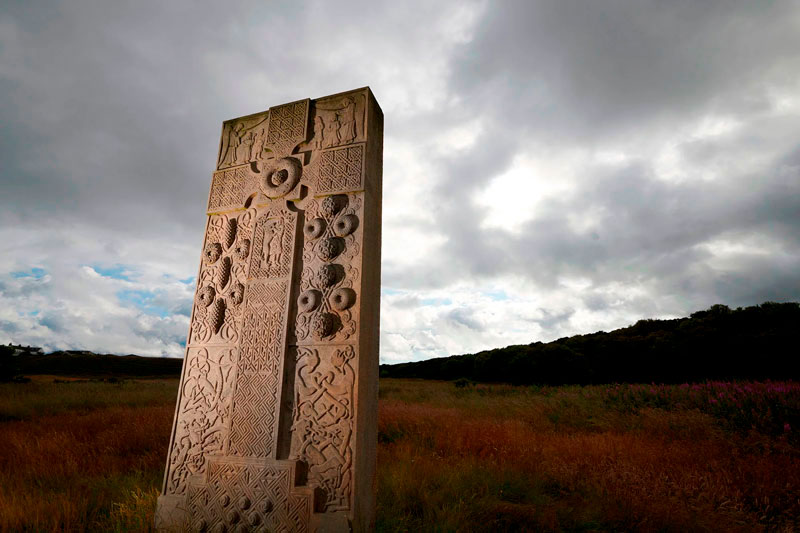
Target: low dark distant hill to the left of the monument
(88, 364)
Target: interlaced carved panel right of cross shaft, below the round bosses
(322, 423)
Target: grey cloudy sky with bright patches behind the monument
(551, 167)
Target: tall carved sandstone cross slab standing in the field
(275, 426)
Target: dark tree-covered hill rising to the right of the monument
(758, 342)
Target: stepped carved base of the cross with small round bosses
(240, 496)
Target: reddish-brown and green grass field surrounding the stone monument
(89, 456)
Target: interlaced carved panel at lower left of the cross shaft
(203, 411)
